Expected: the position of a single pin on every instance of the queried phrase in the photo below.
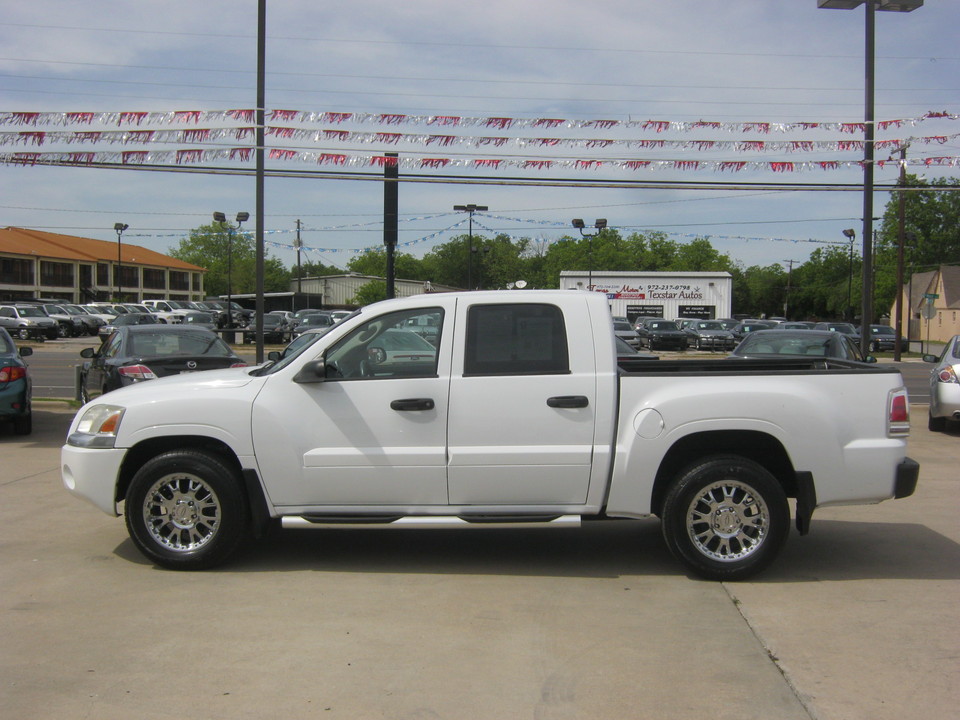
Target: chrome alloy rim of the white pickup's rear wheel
(727, 521)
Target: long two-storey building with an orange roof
(36, 264)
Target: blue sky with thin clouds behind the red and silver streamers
(726, 62)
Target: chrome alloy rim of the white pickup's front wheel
(181, 512)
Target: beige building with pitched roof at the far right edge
(931, 305)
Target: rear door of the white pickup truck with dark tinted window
(523, 393)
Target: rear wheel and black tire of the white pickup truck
(725, 517)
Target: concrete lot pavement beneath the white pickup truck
(857, 620)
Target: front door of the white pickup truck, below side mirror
(373, 433)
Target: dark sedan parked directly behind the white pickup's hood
(134, 353)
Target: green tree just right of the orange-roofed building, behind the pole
(230, 261)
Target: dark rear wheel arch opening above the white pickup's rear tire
(761, 448)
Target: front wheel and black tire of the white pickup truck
(186, 510)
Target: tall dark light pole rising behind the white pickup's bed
(868, 142)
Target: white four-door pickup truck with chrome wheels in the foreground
(518, 414)
